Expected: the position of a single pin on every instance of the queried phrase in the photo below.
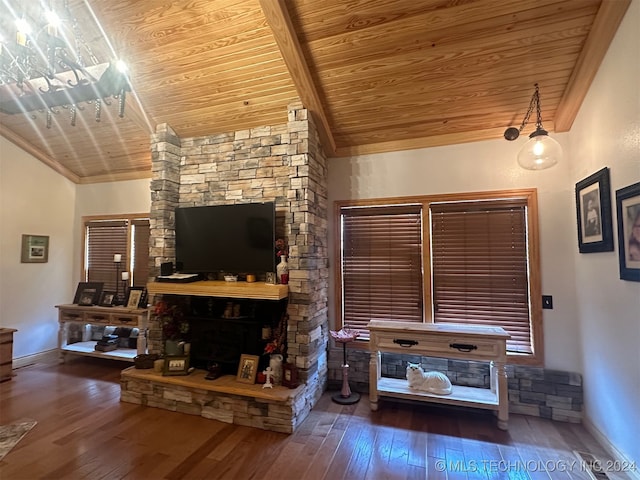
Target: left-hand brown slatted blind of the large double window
(381, 265)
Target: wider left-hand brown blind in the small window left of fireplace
(103, 240)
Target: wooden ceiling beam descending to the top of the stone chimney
(279, 20)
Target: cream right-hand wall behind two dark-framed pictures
(607, 133)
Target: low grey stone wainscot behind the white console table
(533, 391)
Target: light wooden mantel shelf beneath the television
(217, 288)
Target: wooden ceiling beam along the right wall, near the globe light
(595, 48)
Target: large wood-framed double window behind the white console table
(468, 258)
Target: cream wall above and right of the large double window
(482, 166)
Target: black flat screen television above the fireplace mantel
(230, 239)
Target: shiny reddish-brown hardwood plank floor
(84, 431)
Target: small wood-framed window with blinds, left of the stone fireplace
(126, 235)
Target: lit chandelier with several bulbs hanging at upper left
(46, 65)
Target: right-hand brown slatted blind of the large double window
(480, 266)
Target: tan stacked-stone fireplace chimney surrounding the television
(284, 164)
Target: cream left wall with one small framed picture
(35, 200)
